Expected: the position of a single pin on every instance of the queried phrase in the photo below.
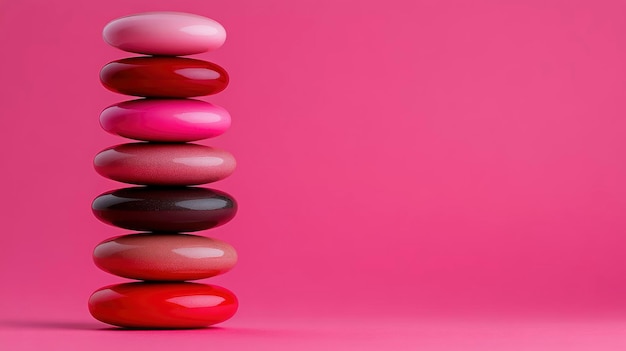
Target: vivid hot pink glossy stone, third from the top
(165, 120)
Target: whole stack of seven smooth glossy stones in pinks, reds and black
(166, 166)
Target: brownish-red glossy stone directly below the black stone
(164, 257)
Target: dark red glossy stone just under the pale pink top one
(174, 77)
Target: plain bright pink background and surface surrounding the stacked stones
(438, 175)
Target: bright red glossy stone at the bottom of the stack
(162, 305)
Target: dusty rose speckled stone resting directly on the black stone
(164, 164)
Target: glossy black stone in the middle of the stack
(165, 209)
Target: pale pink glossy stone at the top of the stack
(164, 33)
